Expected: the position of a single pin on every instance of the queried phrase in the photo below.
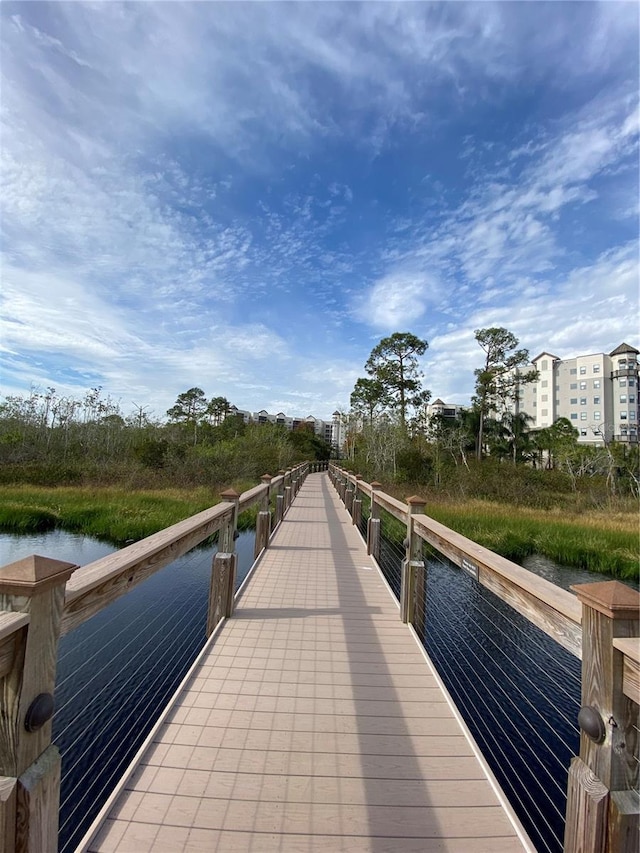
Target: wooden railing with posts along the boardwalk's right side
(600, 625)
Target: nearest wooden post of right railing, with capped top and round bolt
(601, 816)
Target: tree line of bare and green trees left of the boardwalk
(55, 439)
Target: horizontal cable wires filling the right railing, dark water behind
(517, 689)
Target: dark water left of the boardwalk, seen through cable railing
(117, 671)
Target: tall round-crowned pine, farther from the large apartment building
(394, 364)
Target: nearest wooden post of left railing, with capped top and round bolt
(29, 762)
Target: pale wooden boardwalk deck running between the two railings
(312, 722)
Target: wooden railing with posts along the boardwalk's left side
(42, 599)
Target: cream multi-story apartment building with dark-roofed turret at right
(597, 393)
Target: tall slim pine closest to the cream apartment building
(499, 380)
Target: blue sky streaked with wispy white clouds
(246, 197)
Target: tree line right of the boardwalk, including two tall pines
(389, 432)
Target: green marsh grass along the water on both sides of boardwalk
(605, 542)
